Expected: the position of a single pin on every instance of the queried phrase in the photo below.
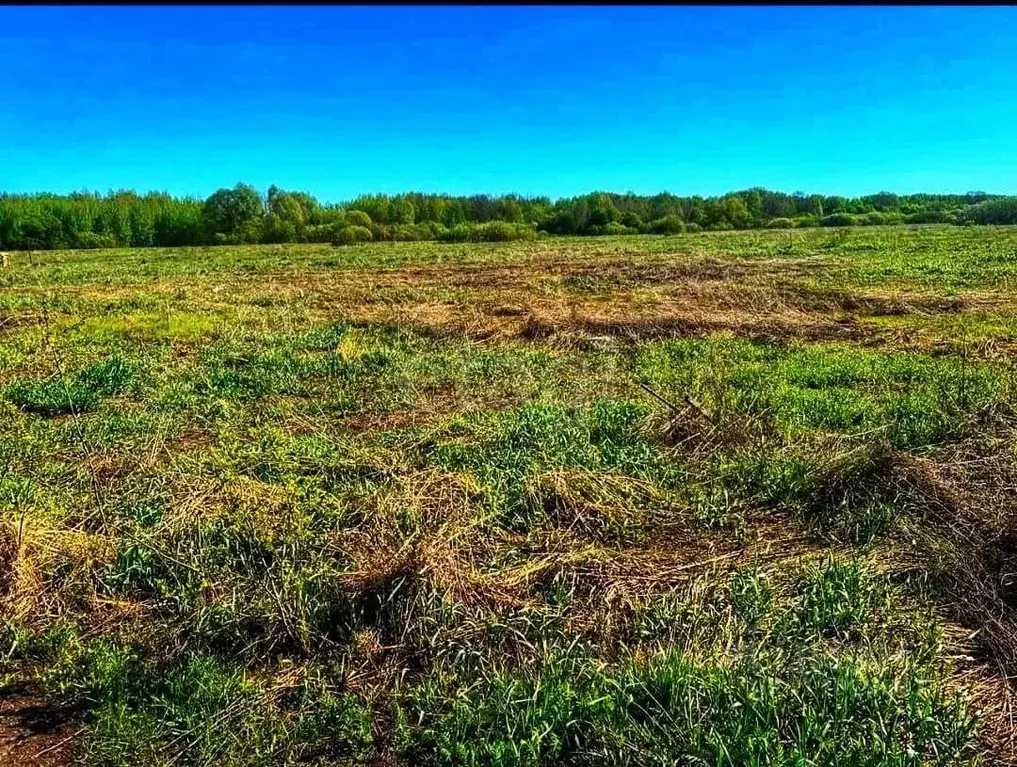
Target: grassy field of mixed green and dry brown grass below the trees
(721, 499)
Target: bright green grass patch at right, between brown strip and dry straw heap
(915, 399)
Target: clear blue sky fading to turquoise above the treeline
(556, 101)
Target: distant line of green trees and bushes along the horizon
(243, 215)
